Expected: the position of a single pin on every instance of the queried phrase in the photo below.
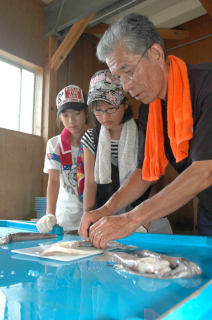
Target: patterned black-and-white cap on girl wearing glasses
(103, 88)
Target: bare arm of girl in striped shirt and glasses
(90, 188)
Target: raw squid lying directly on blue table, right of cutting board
(152, 265)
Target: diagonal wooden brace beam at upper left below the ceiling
(67, 44)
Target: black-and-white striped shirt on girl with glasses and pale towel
(88, 141)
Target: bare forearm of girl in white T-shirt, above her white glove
(52, 190)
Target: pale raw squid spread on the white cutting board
(79, 248)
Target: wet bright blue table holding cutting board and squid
(35, 288)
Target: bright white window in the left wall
(17, 92)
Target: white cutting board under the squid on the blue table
(35, 251)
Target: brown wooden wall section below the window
(20, 172)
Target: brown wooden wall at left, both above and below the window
(22, 26)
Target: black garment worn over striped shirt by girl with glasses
(105, 191)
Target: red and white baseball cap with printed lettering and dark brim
(71, 97)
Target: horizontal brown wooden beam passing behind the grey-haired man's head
(164, 33)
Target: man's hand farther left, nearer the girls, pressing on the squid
(89, 218)
